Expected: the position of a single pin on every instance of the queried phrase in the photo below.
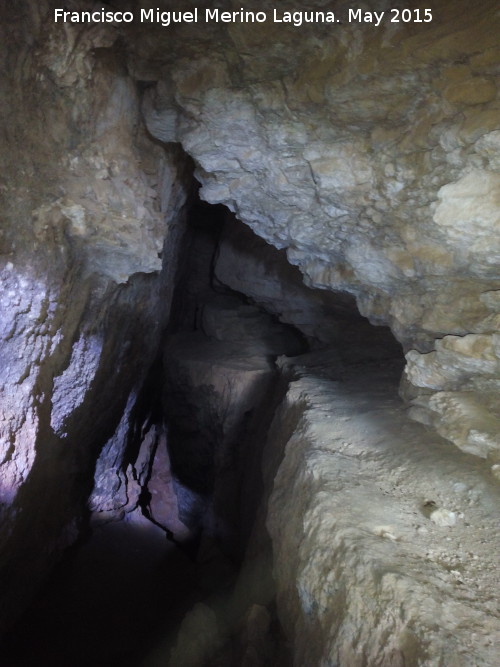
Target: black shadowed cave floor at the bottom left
(109, 603)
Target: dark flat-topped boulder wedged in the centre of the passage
(217, 386)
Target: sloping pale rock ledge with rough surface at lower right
(385, 542)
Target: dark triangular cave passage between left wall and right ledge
(192, 470)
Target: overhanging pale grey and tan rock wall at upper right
(372, 156)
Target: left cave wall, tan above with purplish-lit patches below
(87, 202)
